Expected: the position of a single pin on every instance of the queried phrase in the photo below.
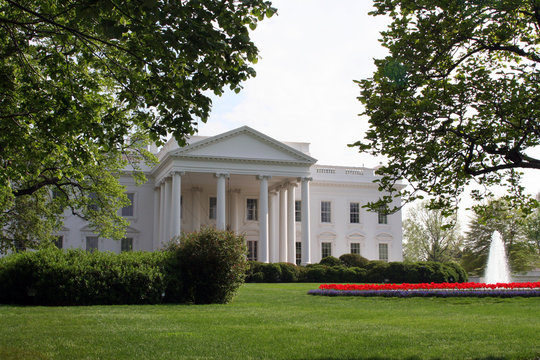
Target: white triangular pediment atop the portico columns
(244, 144)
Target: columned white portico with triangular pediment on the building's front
(237, 180)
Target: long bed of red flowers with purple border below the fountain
(529, 289)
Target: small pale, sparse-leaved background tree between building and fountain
(430, 236)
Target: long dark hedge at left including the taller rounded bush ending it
(205, 267)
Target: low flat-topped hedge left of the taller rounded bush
(76, 277)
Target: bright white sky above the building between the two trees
(310, 53)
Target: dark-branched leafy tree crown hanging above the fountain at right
(458, 97)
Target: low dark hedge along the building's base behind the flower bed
(373, 272)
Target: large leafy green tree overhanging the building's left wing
(85, 85)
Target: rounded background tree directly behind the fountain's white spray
(499, 215)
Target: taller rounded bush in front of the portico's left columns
(212, 263)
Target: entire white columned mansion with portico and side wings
(288, 207)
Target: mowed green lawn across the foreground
(278, 321)
